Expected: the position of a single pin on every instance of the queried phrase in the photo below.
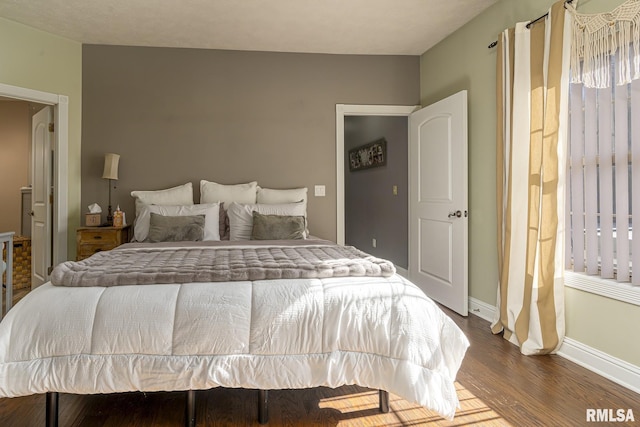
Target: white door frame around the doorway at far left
(60, 105)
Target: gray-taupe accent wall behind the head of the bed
(182, 115)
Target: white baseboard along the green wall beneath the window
(612, 368)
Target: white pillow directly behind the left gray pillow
(210, 211)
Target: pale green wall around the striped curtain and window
(463, 61)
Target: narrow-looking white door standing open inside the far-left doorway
(41, 195)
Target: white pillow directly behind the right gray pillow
(241, 216)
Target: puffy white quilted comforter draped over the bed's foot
(297, 333)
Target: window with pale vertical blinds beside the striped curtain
(603, 182)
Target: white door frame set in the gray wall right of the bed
(343, 110)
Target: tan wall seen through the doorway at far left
(15, 138)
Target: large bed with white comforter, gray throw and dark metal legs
(253, 313)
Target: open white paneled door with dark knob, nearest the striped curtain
(438, 215)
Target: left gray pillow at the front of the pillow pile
(175, 228)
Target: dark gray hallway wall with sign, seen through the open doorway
(372, 211)
